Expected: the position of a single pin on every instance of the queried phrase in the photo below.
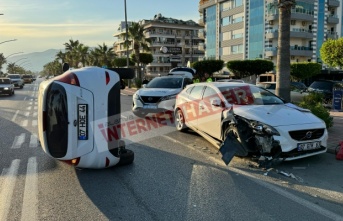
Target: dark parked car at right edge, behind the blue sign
(325, 87)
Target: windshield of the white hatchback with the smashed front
(249, 95)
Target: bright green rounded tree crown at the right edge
(331, 52)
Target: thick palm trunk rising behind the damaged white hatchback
(283, 66)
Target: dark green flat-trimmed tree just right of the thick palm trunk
(304, 70)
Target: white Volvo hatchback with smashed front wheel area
(241, 118)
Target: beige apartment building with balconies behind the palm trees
(170, 33)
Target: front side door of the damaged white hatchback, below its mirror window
(210, 112)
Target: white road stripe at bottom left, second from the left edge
(30, 201)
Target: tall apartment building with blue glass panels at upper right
(248, 29)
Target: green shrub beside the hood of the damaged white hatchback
(313, 102)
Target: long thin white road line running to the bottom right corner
(314, 207)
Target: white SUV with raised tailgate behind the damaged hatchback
(158, 95)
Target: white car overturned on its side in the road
(73, 114)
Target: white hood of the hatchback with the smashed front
(277, 115)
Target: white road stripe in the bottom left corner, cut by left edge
(7, 189)
